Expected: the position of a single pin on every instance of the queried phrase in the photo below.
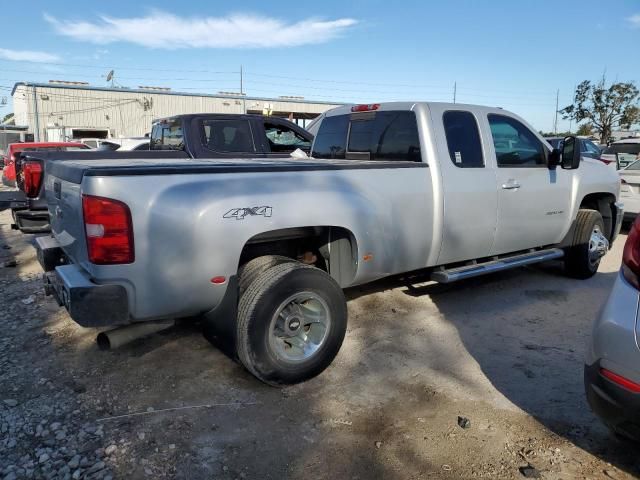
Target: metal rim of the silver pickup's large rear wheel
(299, 327)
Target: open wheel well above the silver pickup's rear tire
(332, 249)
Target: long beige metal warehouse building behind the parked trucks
(60, 110)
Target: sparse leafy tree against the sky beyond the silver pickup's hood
(604, 107)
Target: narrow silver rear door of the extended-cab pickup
(469, 185)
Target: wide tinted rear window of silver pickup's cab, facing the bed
(374, 135)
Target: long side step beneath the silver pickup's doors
(468, 271)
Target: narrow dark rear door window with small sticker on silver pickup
(463, 139)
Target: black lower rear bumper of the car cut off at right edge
(616, 406)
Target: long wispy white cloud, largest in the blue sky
(164, 30)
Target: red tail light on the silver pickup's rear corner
(109, 230)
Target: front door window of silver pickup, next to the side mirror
(515, 144)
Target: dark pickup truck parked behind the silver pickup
(194, 136)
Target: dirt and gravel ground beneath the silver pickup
(504, 352)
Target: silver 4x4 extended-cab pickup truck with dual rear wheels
(262, 248)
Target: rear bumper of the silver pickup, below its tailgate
(88, 304)
